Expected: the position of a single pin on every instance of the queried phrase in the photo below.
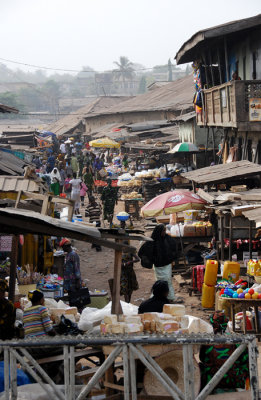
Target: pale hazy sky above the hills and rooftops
(70, 34)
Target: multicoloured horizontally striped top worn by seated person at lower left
(36, 321)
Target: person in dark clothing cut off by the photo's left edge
(7, 313)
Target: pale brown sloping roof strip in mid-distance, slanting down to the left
(74, 119)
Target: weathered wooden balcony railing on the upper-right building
(235, 104)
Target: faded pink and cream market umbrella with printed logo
(171, 202)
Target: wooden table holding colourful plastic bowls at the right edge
(245, 304)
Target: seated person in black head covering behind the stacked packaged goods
(160, 291)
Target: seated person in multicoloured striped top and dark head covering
(36, 319)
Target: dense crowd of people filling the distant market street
(72, 171)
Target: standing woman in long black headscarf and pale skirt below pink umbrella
(164, 253)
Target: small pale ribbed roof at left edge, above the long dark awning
(16, 183)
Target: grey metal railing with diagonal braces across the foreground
(130, 348)
